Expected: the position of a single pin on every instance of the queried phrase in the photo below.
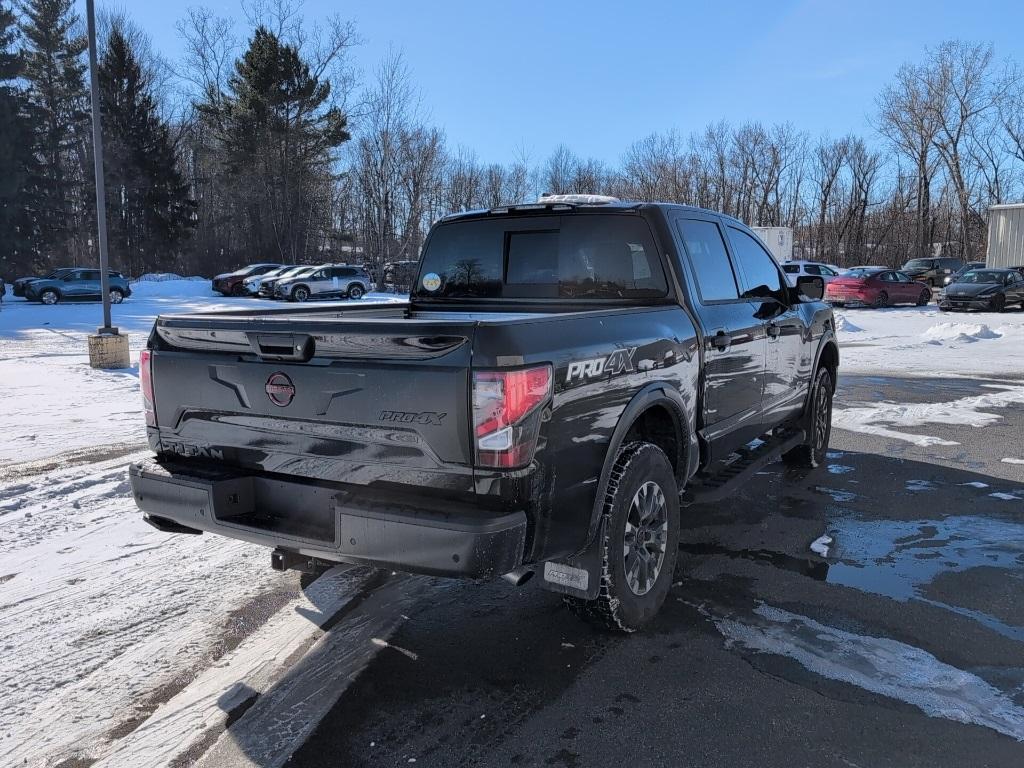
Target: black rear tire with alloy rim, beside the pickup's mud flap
(631, 596)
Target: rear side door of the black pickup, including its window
(735, 338)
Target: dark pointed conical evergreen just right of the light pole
(149, 210)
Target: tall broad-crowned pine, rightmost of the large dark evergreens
(277, 132)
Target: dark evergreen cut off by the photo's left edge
(16, 159)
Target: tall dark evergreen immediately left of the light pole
(55, 69)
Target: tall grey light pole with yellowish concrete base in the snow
(107, 348)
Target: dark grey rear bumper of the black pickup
(331, 522)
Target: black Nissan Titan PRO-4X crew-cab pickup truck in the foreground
(565, 378)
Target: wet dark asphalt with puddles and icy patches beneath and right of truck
(904, 648)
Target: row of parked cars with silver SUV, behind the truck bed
(296, 283)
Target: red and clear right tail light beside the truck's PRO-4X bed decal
(507, 409)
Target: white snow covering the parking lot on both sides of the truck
(99, 612)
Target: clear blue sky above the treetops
(600, 75)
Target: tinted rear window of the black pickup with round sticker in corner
(579, 257)
